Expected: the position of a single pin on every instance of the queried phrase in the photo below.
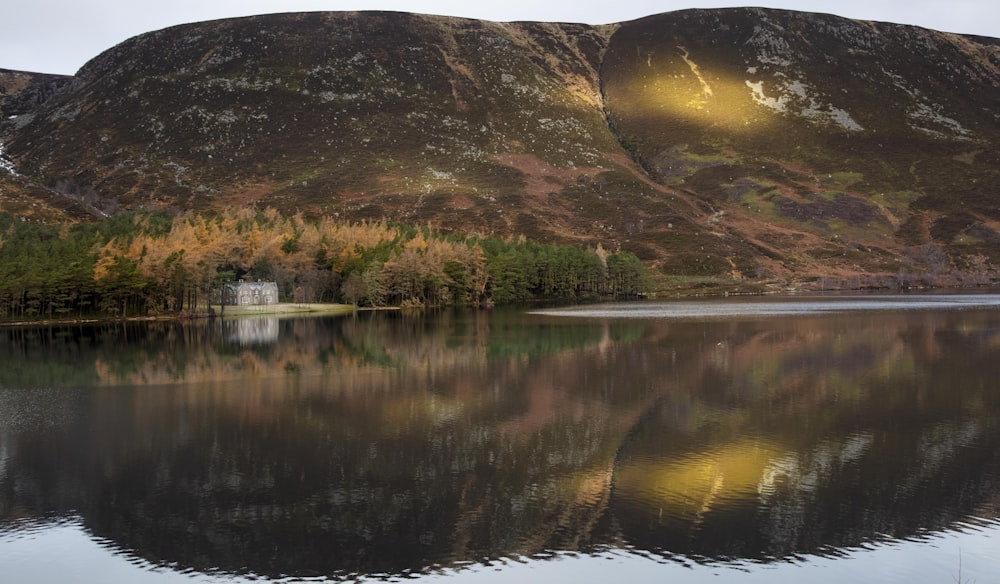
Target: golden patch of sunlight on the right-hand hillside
(697, 93)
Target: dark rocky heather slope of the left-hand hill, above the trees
(355, 113)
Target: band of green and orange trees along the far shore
(149, 263)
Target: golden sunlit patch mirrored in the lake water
(686, 488)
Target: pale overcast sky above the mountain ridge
(59, 36)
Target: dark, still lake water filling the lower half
(733, 441)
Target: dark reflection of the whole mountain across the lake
(389, 444)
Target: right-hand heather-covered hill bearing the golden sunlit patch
(828, 143)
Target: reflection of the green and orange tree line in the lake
(229, 349)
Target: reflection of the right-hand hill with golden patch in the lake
(817, 435)
